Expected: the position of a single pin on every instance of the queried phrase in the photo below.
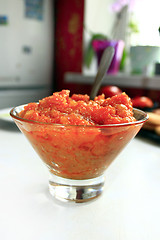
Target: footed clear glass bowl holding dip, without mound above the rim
(77, 156)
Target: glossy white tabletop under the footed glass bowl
(129, 208)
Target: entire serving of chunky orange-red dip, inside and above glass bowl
(83, 151)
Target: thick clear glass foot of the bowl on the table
(78, 191)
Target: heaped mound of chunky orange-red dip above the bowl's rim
(80, 110)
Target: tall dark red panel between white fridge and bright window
(69, 16)
